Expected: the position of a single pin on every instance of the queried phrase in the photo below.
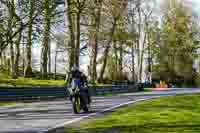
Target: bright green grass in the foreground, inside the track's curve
(179, 114)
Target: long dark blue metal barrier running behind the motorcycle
(7, 93)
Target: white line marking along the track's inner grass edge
(92, 114)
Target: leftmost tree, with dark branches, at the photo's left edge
(13, 28)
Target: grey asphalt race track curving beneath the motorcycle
(40, 117)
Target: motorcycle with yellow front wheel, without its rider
(79, 97)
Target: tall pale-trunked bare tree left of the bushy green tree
(139, 17)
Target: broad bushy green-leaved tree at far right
(177, 48)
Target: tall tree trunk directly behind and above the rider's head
(75, 9)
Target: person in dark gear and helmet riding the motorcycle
(77, 74)
